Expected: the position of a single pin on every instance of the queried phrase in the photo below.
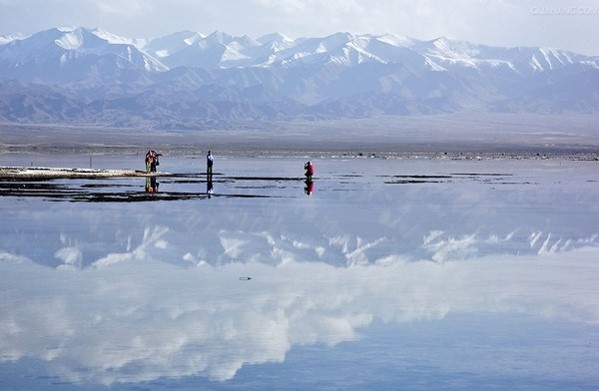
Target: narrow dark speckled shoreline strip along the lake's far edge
(428, 151)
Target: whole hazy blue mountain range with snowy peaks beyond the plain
(189, 80)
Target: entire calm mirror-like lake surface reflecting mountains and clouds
(390, 274)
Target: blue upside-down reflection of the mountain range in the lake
(352, 220)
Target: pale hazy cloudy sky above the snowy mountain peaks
(574, 26)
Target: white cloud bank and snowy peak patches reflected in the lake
(135, 318)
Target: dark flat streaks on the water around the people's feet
(201, 186)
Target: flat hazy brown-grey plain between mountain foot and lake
(523, 136)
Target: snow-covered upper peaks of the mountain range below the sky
(220, 50)
